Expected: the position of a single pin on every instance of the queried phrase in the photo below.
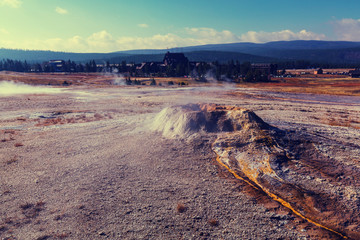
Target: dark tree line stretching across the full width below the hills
(230, 71)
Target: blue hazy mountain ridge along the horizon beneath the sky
(340, 52)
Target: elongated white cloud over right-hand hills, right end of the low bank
(284, 35)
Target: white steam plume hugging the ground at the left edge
(11, 88)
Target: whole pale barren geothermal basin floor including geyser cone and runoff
(176, 163)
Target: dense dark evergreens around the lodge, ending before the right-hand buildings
(230, 70)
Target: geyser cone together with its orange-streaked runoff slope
(281, 164)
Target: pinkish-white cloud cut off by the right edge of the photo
(347, 29)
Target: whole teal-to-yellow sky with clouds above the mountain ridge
(109, 25)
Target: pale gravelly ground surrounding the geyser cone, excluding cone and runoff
(86, 164)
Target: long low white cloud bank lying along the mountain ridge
(103, 41)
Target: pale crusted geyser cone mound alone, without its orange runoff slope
(192, 119)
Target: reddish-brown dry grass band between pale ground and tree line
(317, 84)
